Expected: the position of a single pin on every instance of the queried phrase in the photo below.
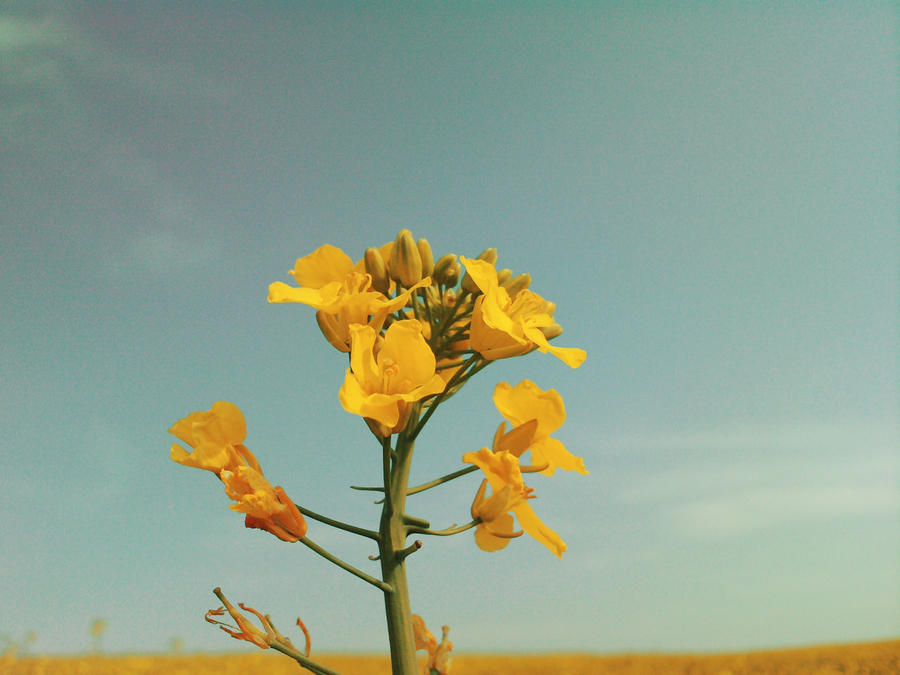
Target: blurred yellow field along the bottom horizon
(879, 657)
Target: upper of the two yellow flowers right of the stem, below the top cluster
(526, 401)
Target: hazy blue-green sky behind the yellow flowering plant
(708, 192)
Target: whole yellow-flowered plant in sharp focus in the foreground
(415, 330)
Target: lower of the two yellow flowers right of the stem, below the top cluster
(503, 472)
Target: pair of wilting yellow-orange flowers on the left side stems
(216, 436)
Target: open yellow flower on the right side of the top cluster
(503, 326)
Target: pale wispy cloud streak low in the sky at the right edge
(726, 482)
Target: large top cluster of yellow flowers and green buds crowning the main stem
(409, 323)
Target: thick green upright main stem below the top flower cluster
(392, 542)
